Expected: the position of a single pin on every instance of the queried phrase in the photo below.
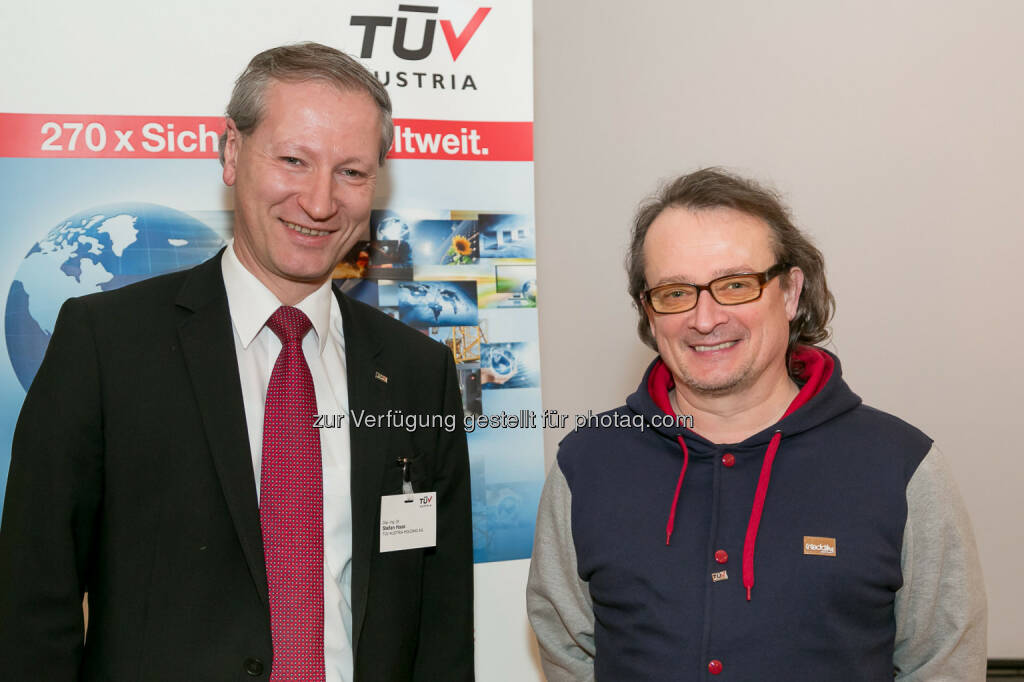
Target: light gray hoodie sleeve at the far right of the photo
(941, 611)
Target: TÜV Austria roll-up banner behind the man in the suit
(100, 192)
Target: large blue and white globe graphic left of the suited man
(100, 249)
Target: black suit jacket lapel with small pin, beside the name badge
(369, 392)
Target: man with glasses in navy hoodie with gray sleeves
(763, 524)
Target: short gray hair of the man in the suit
(304, 62)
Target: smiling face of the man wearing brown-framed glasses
(716, 350)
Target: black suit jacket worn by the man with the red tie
(132, 479)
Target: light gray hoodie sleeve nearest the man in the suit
(558, 602)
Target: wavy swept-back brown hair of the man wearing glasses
(715, 188)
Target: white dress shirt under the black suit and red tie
(257, 348)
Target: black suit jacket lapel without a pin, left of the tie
(208, 346)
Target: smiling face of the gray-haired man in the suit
(304, 183)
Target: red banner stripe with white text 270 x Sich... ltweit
(62, 136)
